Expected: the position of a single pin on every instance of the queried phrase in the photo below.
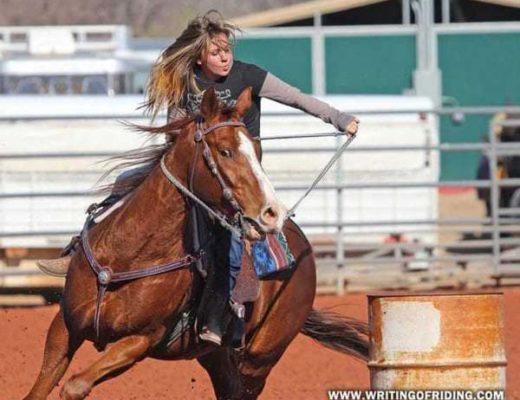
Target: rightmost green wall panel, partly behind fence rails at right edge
(477, 69)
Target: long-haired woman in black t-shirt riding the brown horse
(200, 58)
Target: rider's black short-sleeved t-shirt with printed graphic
(228, 89)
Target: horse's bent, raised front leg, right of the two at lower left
(117, 358)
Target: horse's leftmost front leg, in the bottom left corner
(59, 349)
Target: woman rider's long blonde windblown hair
(173, 75)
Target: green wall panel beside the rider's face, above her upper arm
(288, 58)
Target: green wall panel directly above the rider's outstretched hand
(369, 64)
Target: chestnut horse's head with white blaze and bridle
(222, 157)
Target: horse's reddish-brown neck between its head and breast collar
(149, 227)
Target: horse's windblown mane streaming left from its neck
(145, 158)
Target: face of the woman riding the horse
(217, 60)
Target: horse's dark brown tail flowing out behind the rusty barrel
(338, 333)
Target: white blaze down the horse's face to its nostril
(273, 213)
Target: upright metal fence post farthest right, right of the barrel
(494, 197)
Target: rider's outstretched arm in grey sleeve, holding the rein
(275, 89)
